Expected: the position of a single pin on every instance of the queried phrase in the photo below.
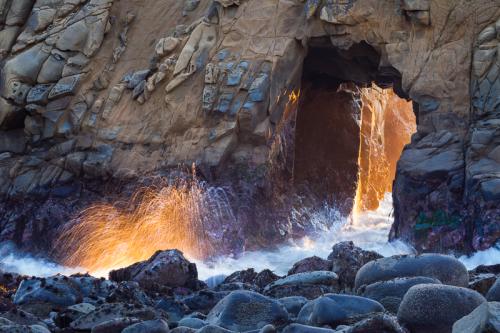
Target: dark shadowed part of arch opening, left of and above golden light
(327, 128)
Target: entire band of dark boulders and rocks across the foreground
(352, 291)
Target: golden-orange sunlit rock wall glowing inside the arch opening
(387, 124)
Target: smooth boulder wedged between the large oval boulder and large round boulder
(390, 293)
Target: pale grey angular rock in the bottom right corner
(484, 319)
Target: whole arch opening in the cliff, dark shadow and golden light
(353, 121)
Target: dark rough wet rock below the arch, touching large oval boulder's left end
(347, 259)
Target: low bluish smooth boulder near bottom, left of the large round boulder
(334, 310)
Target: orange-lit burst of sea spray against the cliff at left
(177, 216)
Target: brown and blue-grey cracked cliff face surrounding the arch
(98, 89)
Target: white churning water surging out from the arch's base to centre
(370, 233)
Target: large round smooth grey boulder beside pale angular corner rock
(434, 308)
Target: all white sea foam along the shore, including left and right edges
(370, 233)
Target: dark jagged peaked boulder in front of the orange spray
(165, 268)
